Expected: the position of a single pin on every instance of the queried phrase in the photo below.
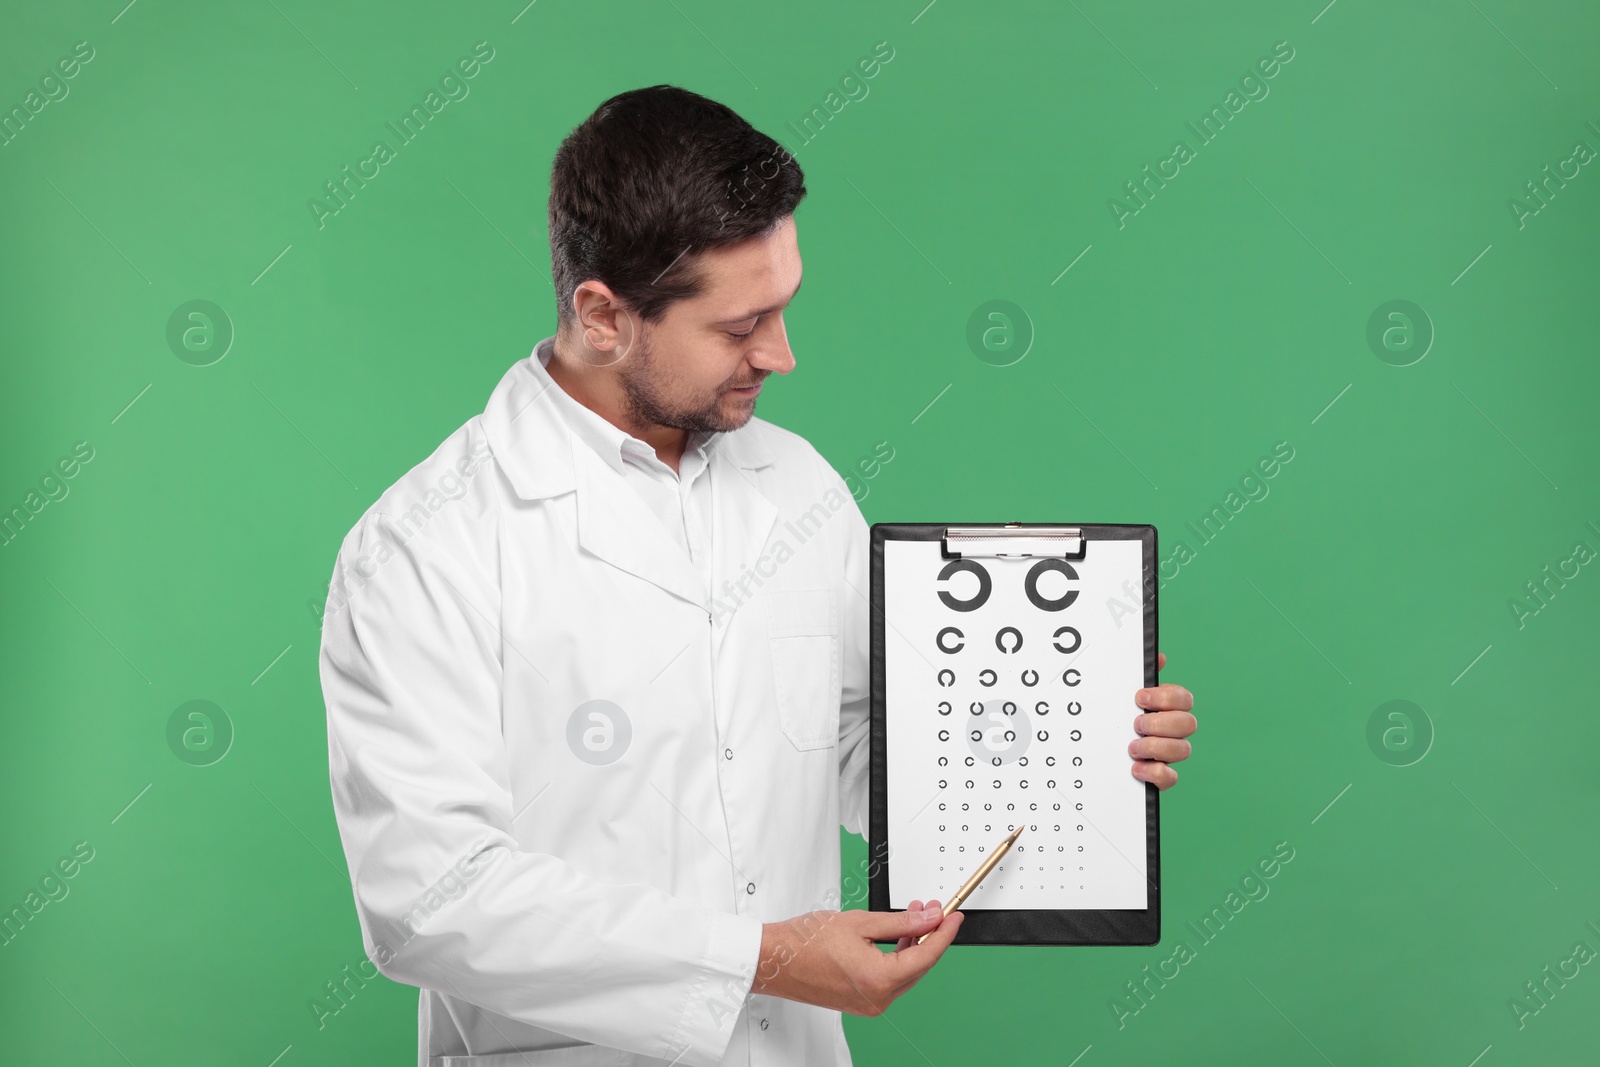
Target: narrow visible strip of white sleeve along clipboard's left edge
(855, 711)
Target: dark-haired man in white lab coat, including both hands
(596, 671)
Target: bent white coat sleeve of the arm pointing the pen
(447, 900)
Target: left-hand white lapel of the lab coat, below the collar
(615, 526)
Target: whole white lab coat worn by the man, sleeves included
(556, 908)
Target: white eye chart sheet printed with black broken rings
(1086, 839)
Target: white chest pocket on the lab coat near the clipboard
(802, 631)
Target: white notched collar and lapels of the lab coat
(542, 458)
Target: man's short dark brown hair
(649, 182)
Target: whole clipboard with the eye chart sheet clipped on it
(1006, 658)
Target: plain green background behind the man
(1230, 314)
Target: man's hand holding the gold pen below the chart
(830, 959)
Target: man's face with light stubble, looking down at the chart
(702, 367)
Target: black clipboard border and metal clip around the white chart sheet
(985, 927)
